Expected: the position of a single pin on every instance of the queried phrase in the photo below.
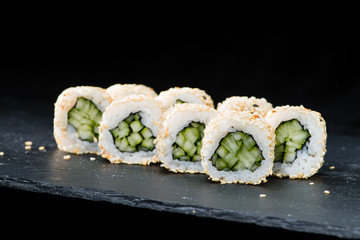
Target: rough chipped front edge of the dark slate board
(195, 210)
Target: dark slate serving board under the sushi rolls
(289, 204)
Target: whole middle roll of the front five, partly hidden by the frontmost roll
(181, 132)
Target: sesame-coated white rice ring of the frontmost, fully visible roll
(231, 121)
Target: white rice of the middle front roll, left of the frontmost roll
(173, 121)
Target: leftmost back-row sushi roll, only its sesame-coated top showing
(118, 91)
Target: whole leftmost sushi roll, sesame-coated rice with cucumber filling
(78, 111)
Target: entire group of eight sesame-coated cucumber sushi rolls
(242, 140)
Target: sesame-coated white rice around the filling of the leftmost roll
(65, 134)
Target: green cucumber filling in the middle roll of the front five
(187, 145)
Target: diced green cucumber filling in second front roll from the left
(131, 135)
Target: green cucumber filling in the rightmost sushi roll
(291, 136)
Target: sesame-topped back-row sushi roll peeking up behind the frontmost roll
(252, 104)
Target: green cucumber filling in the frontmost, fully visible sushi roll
(237, 151)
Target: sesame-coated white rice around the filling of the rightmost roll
(309, 159)
